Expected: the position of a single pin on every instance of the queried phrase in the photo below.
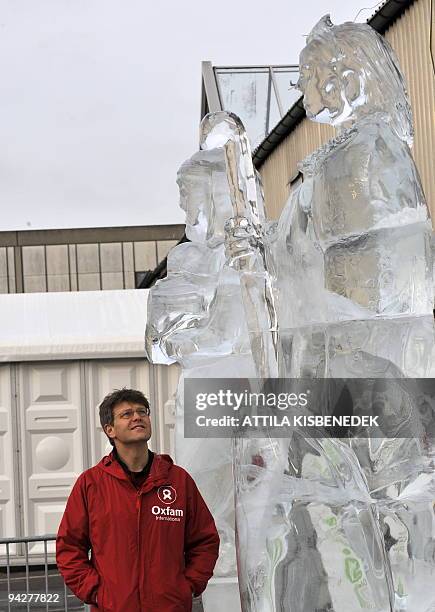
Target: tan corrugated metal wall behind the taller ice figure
(409, 36)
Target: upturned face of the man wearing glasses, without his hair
(131, 423)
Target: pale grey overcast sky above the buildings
(100, 99)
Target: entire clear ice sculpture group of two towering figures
(341, 288)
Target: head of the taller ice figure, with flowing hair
(349, 71)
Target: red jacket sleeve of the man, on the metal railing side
(73, 546)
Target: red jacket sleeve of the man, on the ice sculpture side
(201, 545)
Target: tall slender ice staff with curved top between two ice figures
(247, 248)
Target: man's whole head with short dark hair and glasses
(124, 417)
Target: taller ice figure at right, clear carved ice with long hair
(324, 524)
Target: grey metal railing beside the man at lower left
(21, 577)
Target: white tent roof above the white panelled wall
(73, 325)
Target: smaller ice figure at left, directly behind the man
(196, 315)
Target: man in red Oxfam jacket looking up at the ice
(152, 539)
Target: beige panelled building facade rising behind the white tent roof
(87, 259)
